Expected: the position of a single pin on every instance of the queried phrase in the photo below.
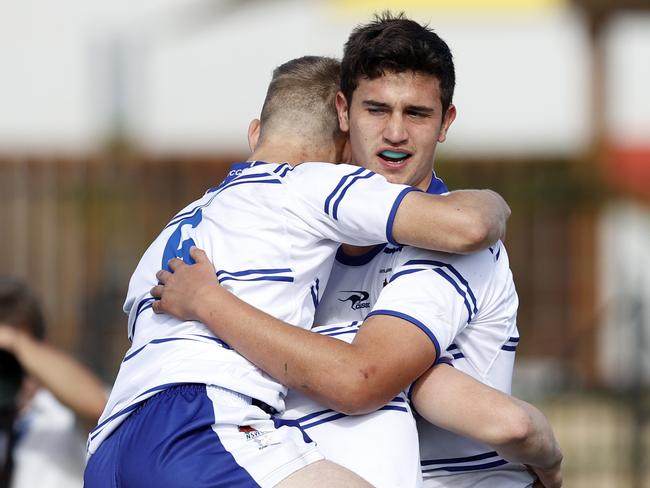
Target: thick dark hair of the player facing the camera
(396, 44)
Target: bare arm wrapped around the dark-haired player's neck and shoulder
(464, 221)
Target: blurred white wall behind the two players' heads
(189, 75)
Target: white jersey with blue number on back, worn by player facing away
(272, 232)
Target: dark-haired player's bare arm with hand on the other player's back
(351, 378)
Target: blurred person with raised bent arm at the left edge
(45, 396)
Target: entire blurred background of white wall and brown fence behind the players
(113, 115)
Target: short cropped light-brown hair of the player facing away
(304, 87)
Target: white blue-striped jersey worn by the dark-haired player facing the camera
(467, 306)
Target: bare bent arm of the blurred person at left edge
(68, 380)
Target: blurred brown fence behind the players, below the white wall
(75, 228)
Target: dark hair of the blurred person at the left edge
(20, 308)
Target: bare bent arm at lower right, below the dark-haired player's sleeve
(517, 430)
